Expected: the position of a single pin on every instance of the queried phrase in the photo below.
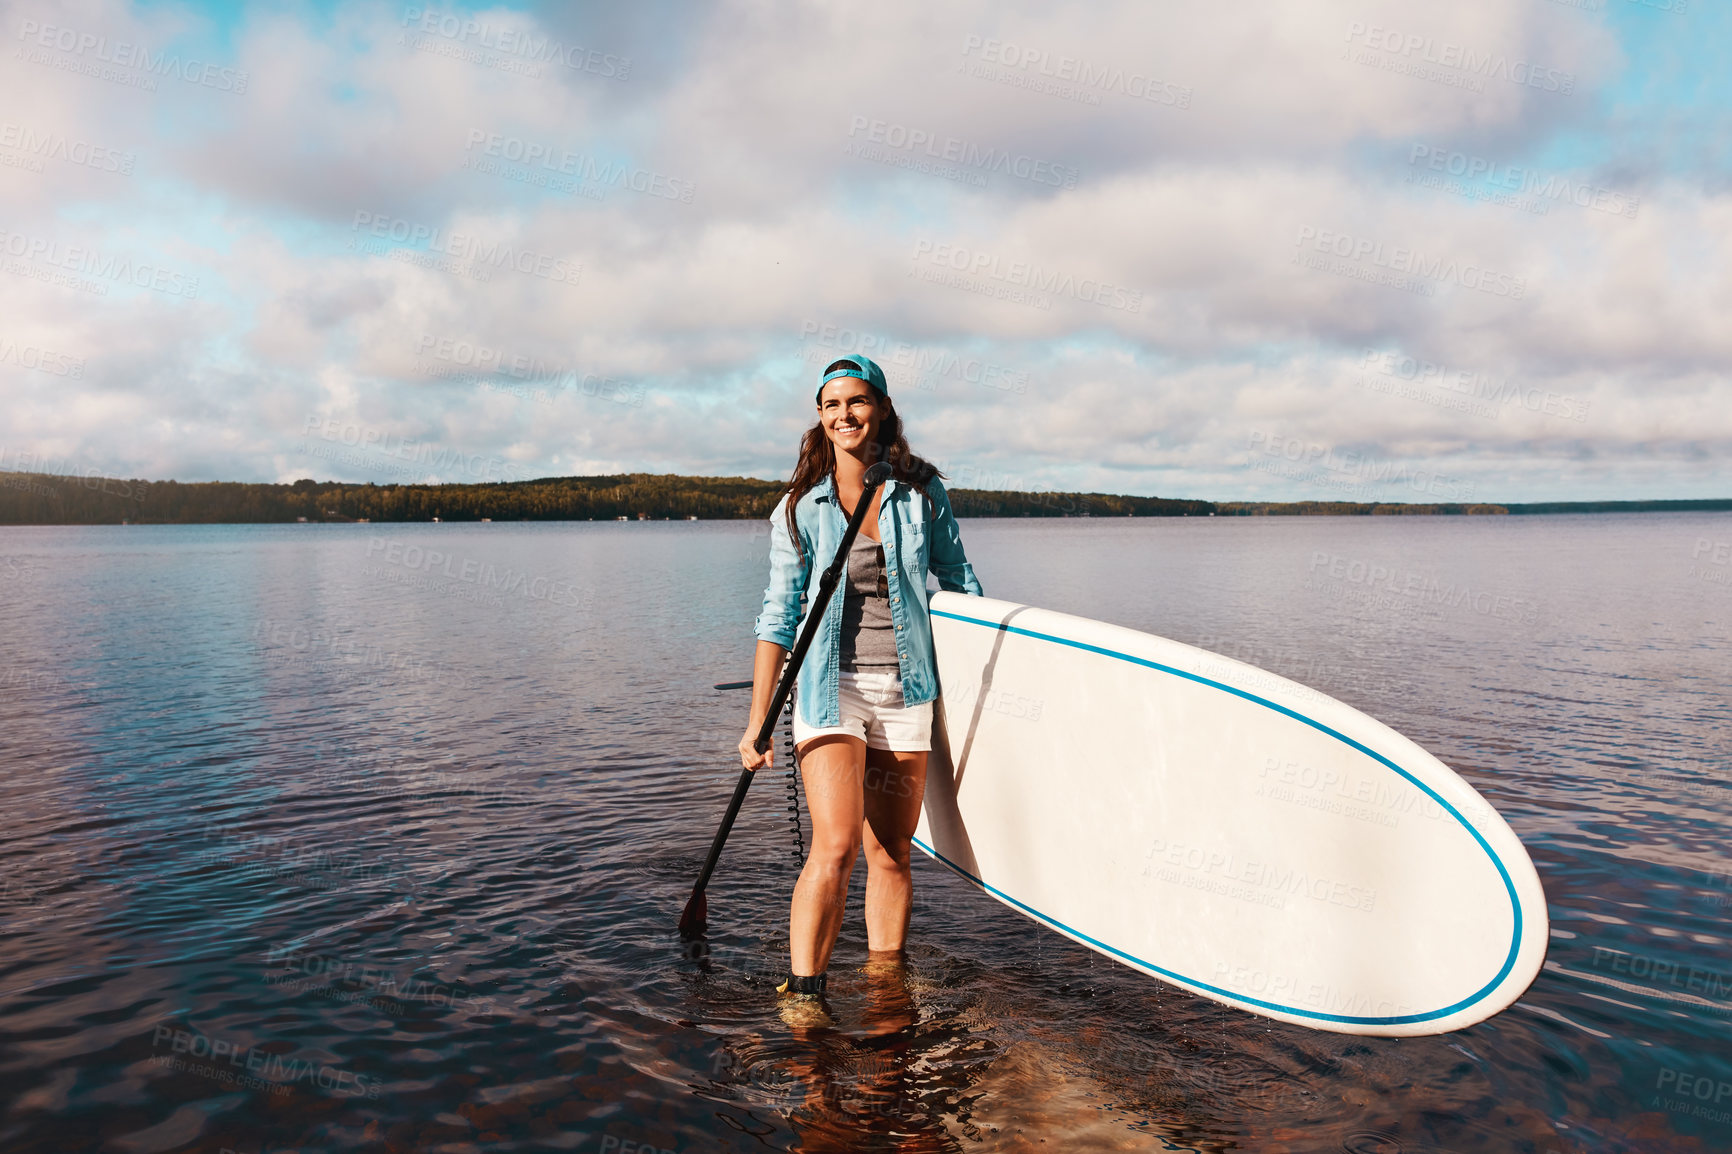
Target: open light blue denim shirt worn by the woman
(917, 540)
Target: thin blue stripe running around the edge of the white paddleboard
(1347, 1020)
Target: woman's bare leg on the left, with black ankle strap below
(832, 768)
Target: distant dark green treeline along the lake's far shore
(61, 500)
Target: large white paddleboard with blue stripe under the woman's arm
(1220, 827)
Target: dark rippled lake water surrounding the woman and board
(326, 838)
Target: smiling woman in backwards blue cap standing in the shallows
(863, 720)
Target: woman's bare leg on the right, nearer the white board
(895, 786)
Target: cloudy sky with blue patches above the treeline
(1302, 250)
